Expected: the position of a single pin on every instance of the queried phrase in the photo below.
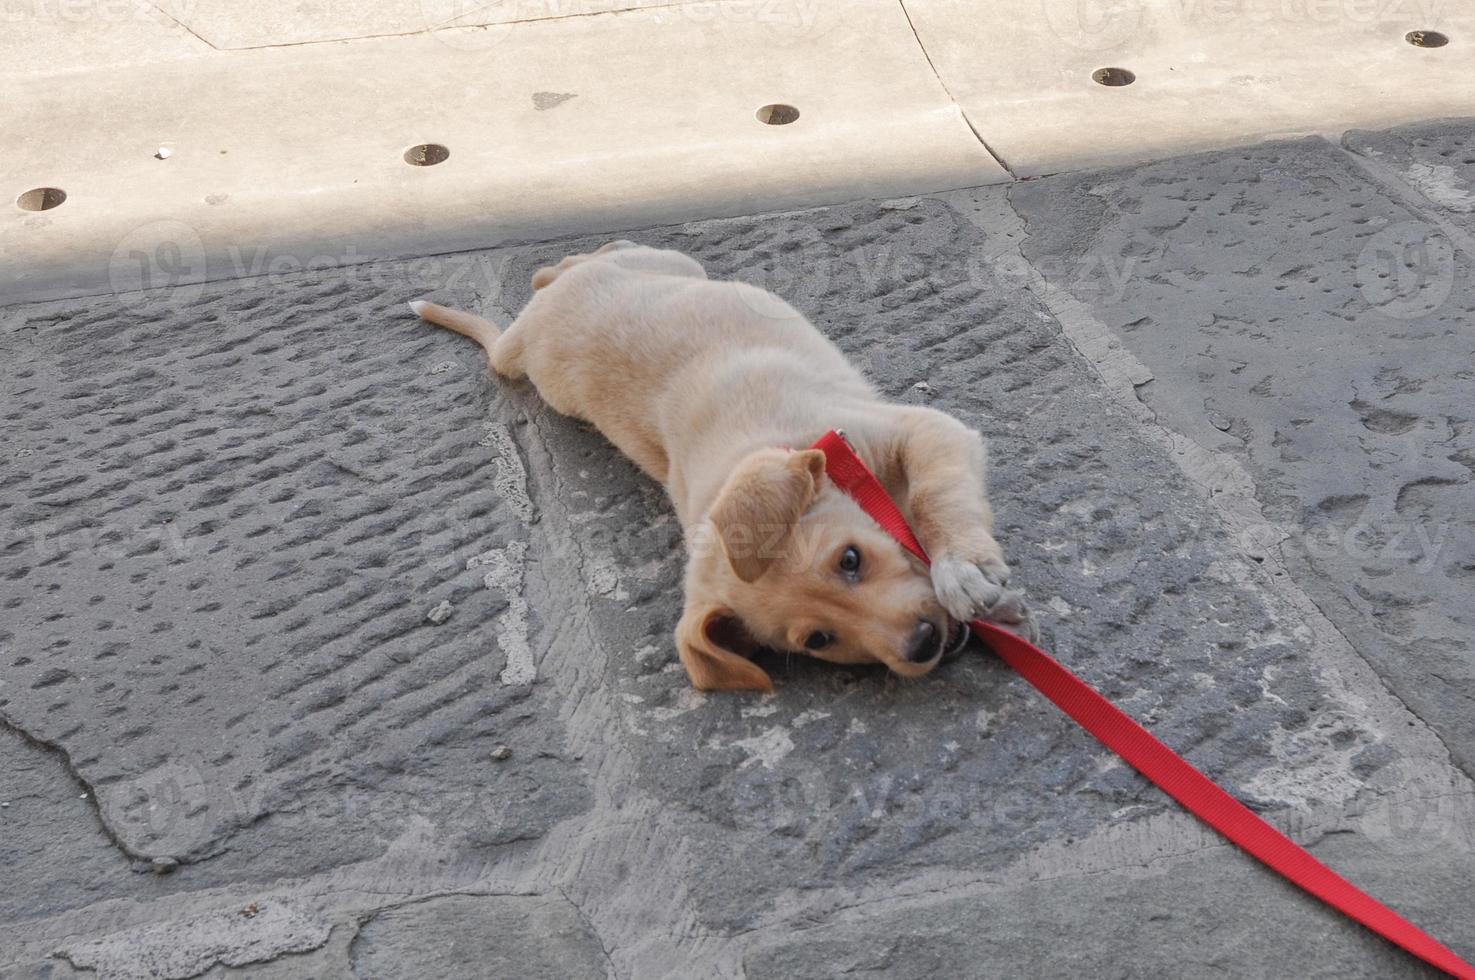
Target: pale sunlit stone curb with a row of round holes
(198, 142)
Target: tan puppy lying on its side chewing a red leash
(715, 389)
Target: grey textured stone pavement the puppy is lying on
(1232, 413)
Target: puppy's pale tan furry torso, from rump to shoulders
(653, 361)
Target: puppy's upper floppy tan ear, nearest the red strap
(762, 503)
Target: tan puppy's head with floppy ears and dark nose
(787, 562)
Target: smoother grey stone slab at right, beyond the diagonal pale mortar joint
(1315, 328)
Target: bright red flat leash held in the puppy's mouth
(1151, 758)
